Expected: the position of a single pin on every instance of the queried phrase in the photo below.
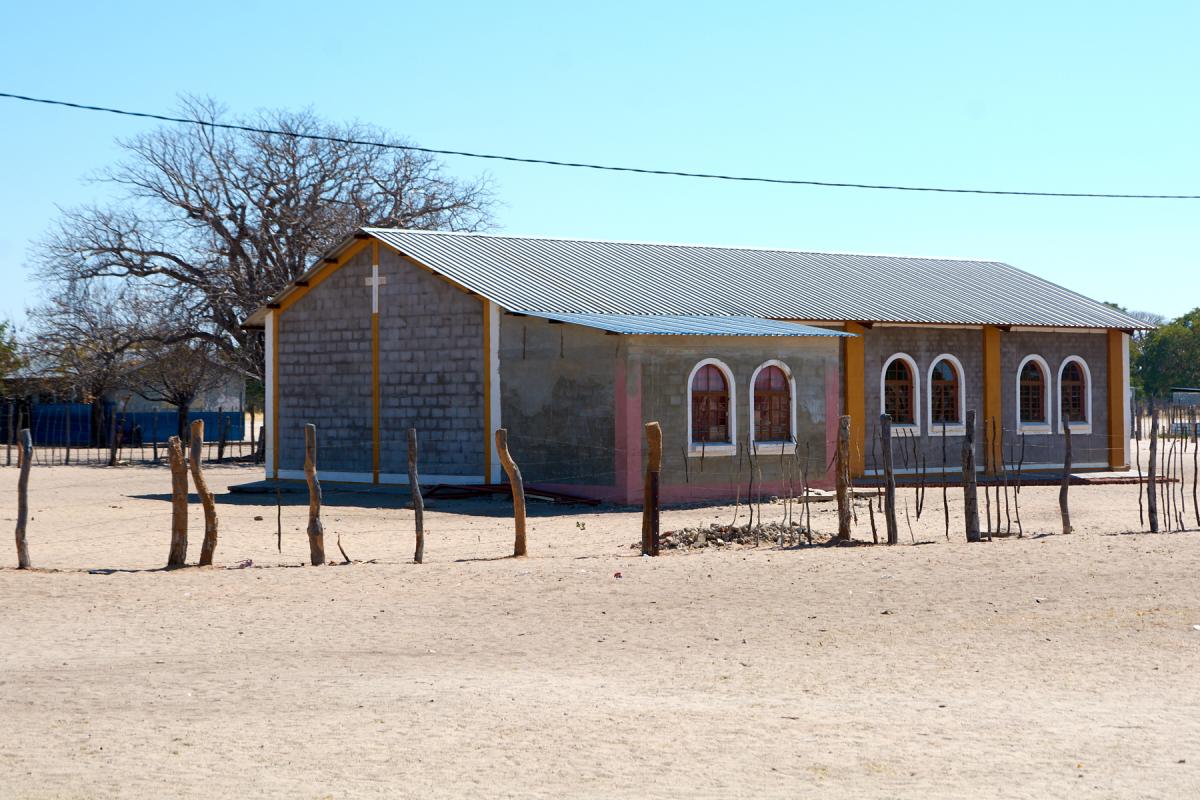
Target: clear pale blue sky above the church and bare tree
(1042, 97)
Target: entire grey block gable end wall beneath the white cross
(431, 372)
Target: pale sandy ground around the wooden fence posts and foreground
(1048, 666)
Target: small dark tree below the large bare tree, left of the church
(177, 375)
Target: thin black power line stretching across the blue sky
(549, 163)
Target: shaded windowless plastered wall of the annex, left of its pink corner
(559, 400)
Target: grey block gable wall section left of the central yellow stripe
(326, 372)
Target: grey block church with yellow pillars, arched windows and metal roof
(746, 357)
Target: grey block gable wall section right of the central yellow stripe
(431, 368)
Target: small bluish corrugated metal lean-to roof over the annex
(687, 324)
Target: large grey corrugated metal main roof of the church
(574, 276)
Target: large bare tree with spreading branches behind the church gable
(231, 218)
